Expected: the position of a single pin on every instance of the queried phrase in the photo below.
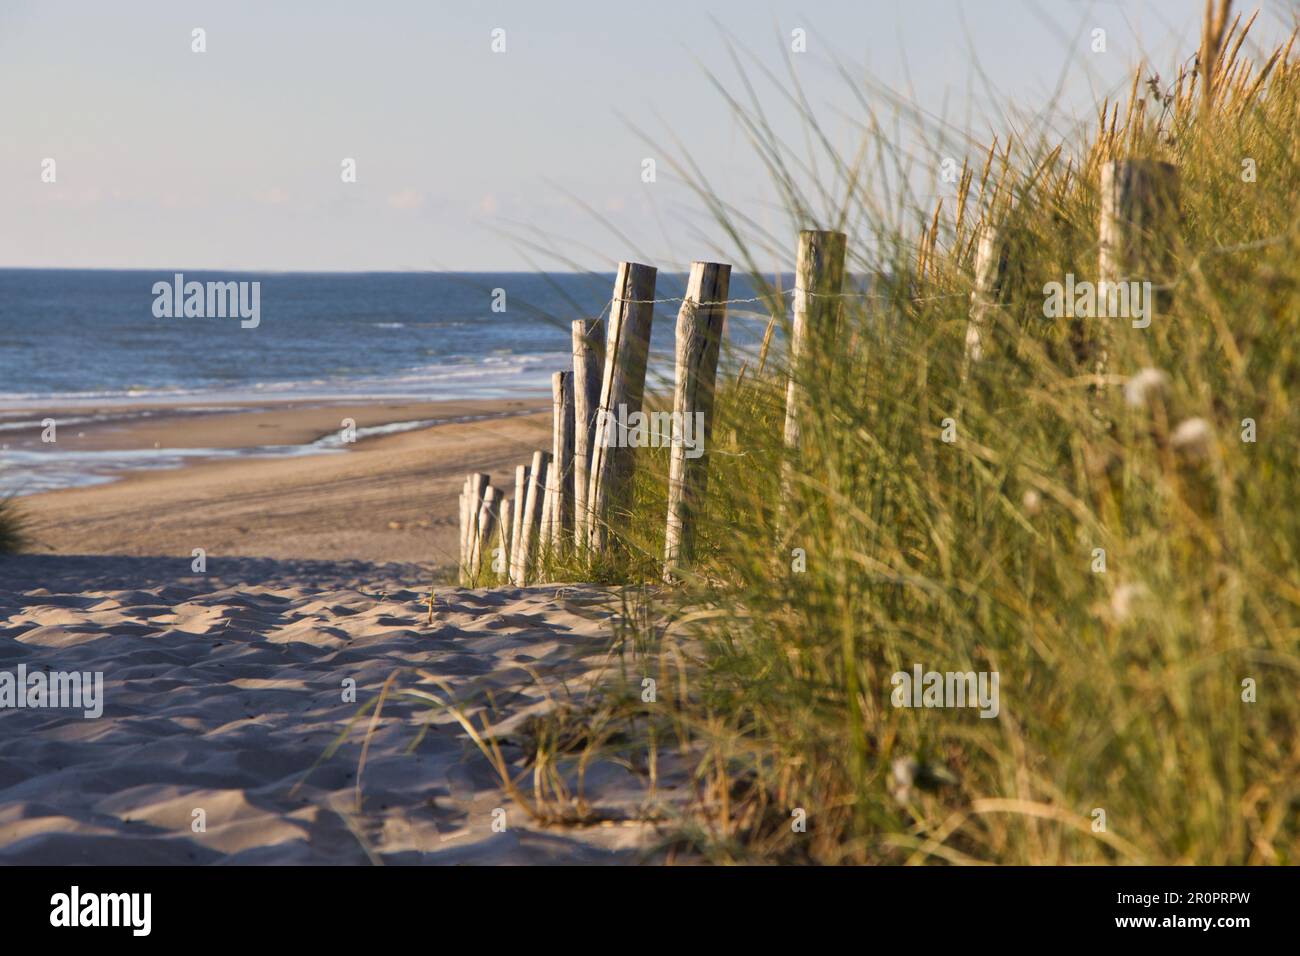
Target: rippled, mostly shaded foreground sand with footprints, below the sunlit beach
(223, 693)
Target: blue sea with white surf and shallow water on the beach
(94, 340)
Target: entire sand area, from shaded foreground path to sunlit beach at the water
(223, 691)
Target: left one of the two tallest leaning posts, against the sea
(622, 390)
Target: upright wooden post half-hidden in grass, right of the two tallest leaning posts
(818, 283)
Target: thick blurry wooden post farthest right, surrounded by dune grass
(1139, 215)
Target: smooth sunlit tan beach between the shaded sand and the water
(385, 499)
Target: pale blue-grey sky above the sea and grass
(470, 158)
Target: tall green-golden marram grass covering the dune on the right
(1150, 711)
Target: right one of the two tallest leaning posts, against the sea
(700, 330)
